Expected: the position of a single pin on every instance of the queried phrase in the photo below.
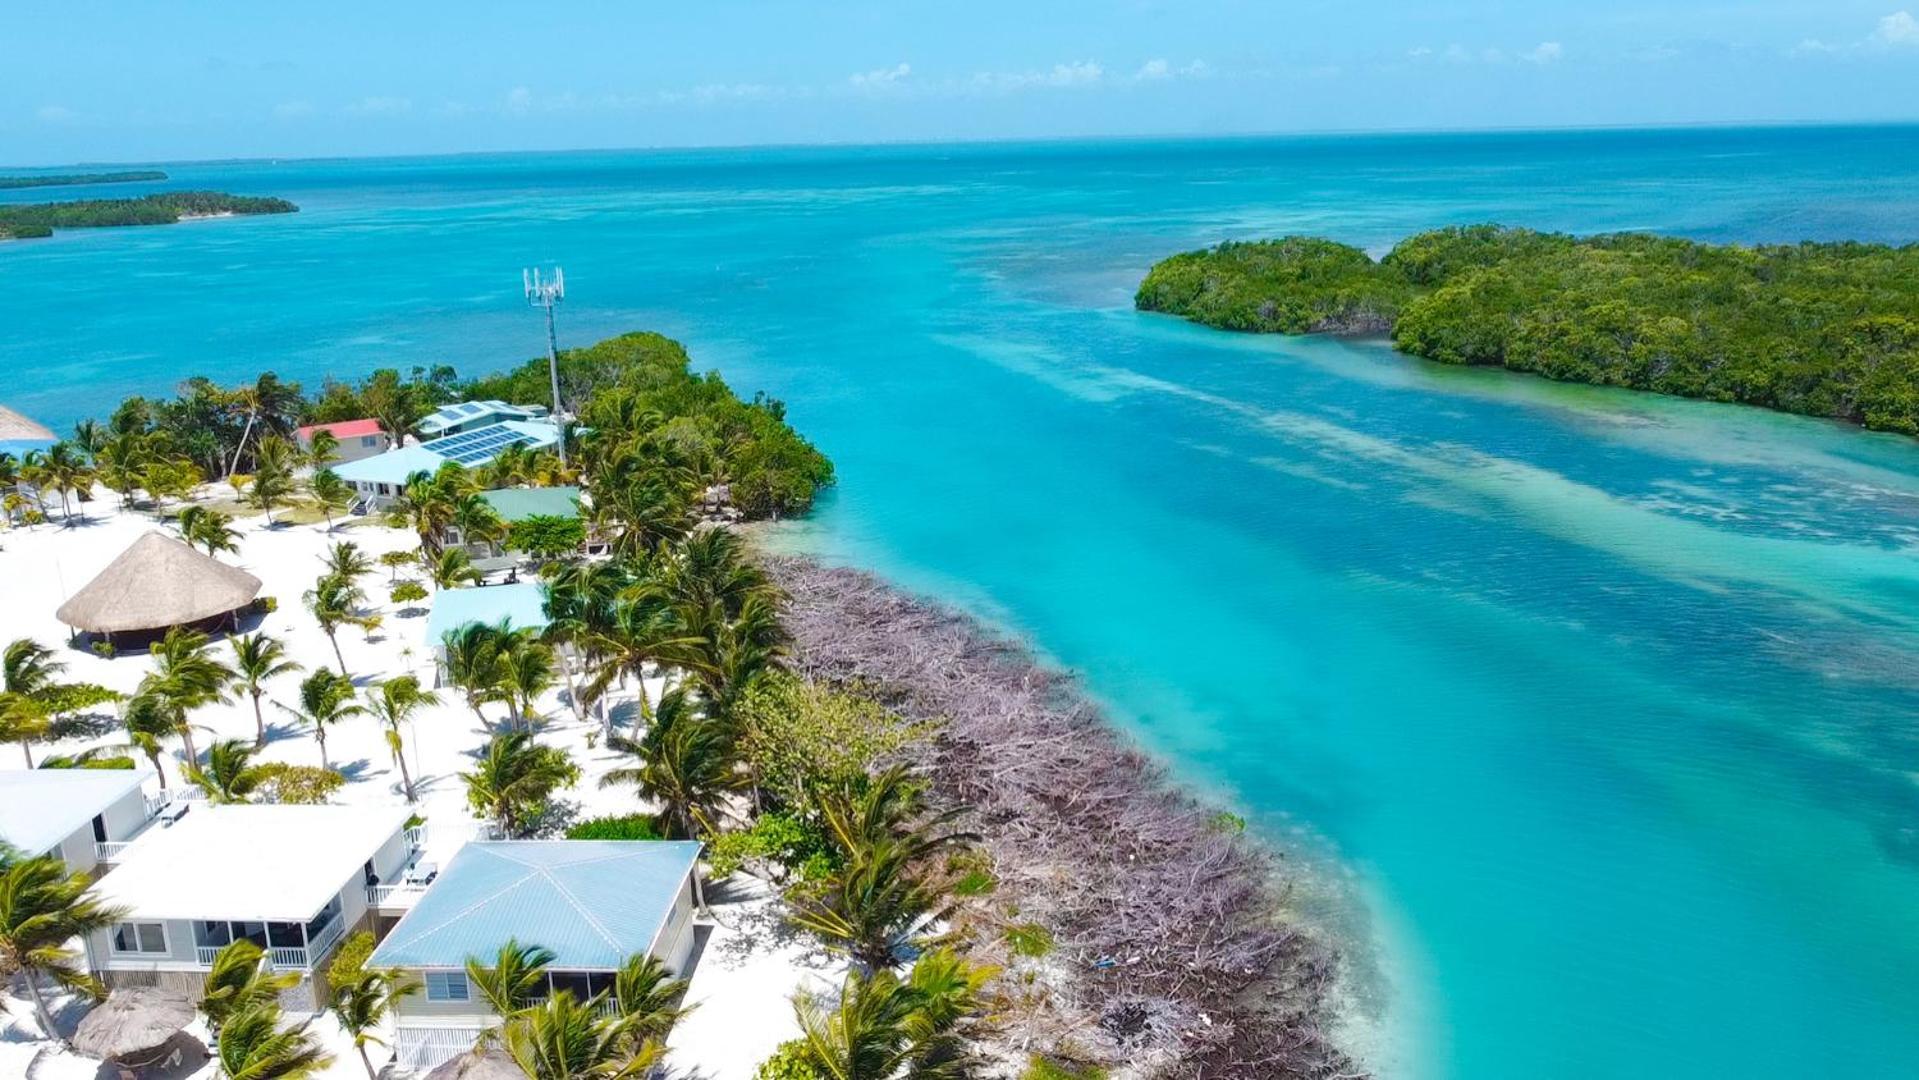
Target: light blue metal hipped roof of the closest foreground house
(592, 903)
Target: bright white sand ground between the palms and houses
(749, 964)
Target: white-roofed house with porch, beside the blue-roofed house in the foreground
(293, 880)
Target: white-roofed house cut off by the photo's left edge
(83, 816)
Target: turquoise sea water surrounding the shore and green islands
(1607, 703)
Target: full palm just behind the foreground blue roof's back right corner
(688, 766)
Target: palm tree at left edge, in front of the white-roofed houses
(43, 910)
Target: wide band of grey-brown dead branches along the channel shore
(1175, 952)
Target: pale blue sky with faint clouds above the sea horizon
(141, 82)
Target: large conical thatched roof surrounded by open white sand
(156, 584)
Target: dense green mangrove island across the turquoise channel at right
(1812, 329)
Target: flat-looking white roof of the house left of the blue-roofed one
(250, 862)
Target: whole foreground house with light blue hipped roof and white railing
(592, 903)
